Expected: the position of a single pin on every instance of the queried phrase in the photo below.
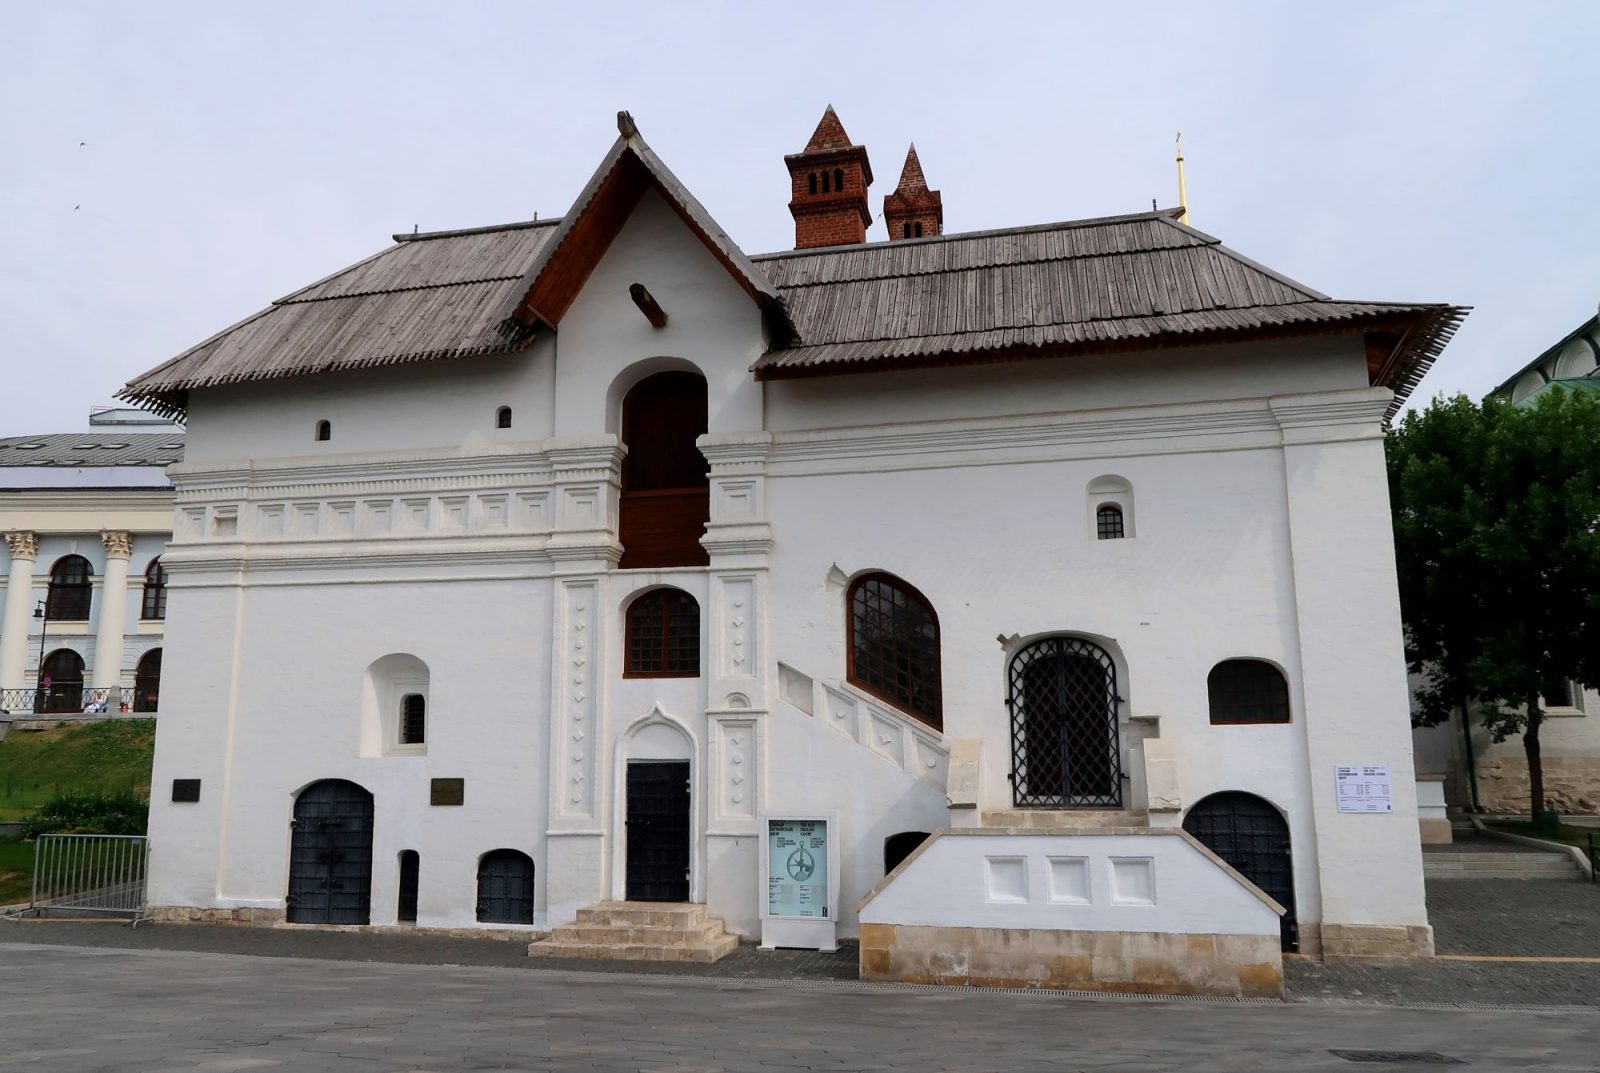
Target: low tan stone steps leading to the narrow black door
(641, 931)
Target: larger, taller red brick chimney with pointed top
(830, 181)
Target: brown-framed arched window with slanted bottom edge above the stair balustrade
(895, 645)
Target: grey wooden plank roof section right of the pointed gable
(1119, 282)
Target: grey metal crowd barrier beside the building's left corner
(90, 874)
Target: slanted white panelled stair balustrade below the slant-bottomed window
(887, 735)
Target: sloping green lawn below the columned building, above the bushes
(95, 757)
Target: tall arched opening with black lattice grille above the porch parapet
(1066, 751)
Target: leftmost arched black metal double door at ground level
(332, 856)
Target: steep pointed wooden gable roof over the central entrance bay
(566, 261)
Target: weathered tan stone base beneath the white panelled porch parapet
(1161, 963)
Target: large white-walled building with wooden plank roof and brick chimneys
(532, 567)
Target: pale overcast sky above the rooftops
(169, 169)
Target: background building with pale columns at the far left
(82, 589)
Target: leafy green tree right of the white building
(1497, 516)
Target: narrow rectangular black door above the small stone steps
(658, 831)
